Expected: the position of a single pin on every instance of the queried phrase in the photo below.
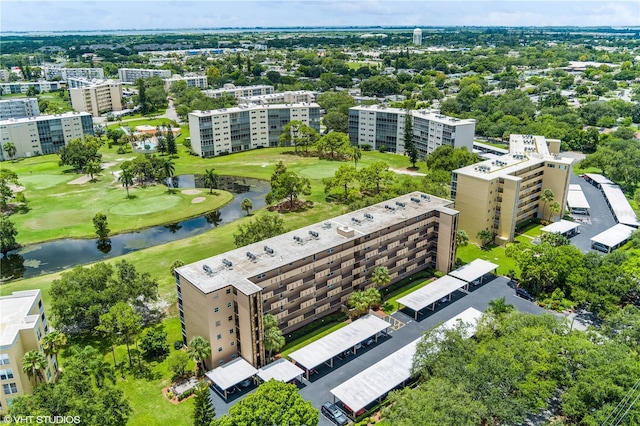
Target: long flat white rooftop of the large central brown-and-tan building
(212, 274)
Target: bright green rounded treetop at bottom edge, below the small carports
(273, 403)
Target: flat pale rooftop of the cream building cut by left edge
(14, 317)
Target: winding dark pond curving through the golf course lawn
(52, 256)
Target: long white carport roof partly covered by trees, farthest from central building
(387, 374)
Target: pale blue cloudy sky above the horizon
(53, 15)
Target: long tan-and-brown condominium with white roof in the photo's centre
(306, 274)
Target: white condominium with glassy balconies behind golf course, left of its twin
(246, 126)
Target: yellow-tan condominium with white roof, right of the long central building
(499, 195)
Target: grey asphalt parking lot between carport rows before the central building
(318, 389)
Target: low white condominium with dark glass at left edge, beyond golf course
(44, 134)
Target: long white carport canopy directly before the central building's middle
(339, 341)
